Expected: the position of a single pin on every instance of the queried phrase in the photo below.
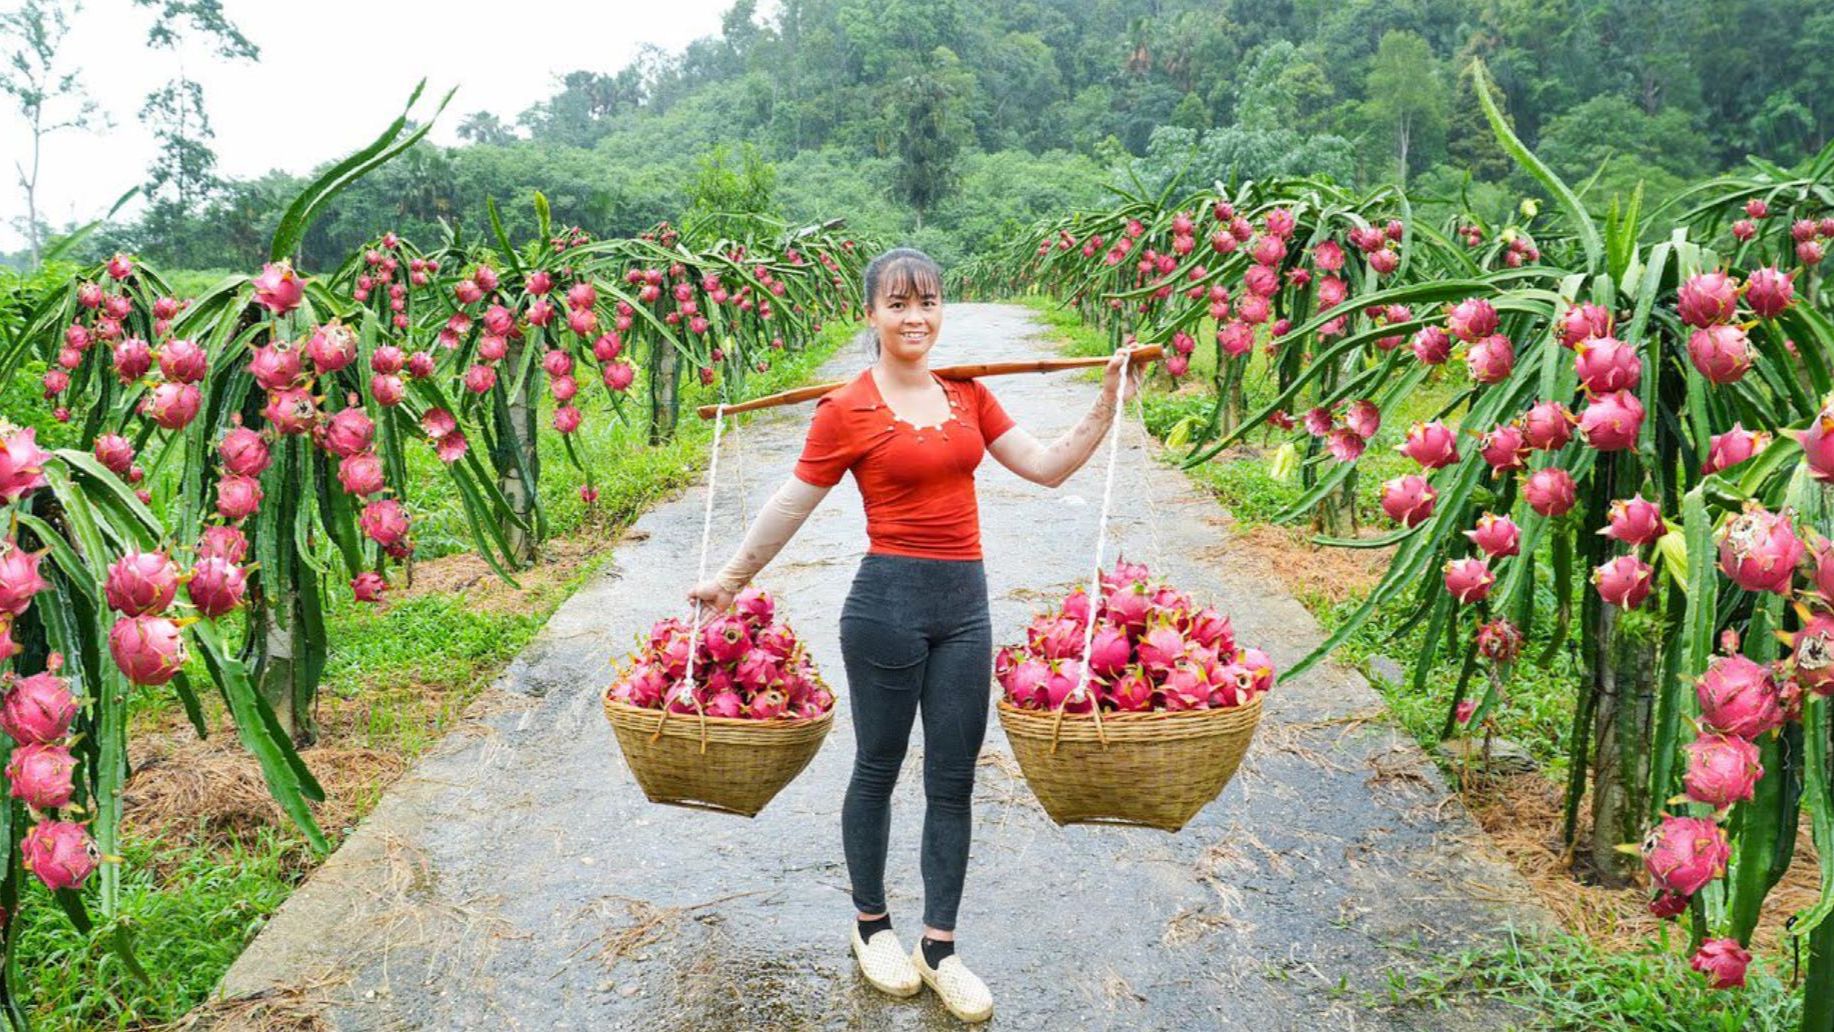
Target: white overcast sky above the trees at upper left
(331, 76)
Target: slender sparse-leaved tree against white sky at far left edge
(50, 98)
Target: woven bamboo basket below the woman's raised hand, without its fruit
(1156, 769)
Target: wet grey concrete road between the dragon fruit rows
(516, 879)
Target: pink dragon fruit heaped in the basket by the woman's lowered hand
(749, 666)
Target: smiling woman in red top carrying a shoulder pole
(914, 631)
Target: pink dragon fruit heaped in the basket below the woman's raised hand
(1153, 650)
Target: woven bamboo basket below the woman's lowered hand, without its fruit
(714, 763)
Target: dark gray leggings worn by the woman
(916, 635)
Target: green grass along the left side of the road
(397, 679)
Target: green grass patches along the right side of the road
(1556, 982)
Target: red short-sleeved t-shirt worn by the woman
(918, 483)
